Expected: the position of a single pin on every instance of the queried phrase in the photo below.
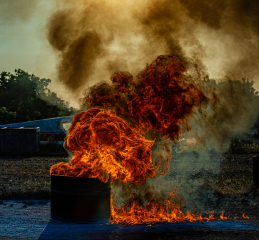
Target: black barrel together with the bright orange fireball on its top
(105, 148)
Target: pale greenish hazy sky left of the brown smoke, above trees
(23, 41)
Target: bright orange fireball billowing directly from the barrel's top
(104, 146)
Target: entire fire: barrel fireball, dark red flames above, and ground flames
(106, 147)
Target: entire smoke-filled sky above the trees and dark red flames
(79, 43)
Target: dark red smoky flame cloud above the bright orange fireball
(161, 98)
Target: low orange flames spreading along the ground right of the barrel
(157, 212)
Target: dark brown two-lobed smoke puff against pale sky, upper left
(79, 48)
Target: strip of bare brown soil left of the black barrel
(26, 177)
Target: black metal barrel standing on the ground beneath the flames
(81, 200)
